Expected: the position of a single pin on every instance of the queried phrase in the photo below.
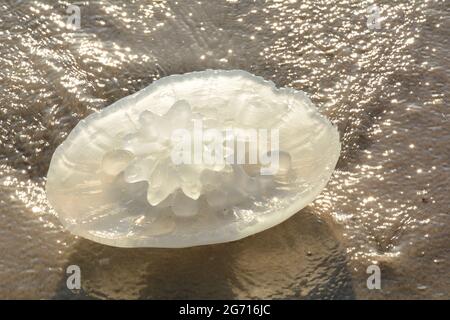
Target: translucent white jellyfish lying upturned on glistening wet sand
(169, 166)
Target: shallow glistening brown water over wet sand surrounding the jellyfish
(386, 88)
